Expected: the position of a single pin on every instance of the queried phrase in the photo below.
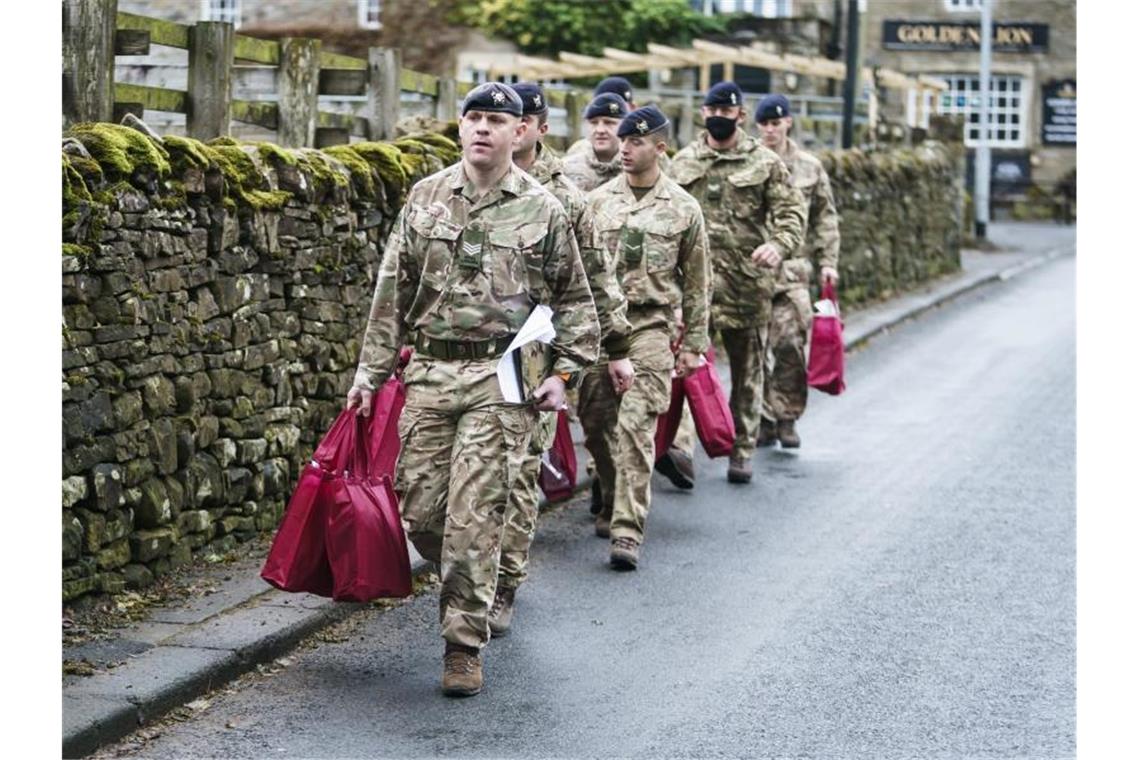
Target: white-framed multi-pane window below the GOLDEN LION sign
(1008, 109)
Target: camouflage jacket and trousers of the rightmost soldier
(786, 387)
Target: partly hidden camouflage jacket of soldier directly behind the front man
(600, 265)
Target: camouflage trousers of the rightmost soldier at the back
(786, 364)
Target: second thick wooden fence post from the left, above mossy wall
(211, 63)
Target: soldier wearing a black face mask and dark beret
(755, 219)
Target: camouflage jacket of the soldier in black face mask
(748, 200)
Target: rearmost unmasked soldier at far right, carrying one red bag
(786, 372)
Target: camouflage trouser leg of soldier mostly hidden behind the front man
(522, 518)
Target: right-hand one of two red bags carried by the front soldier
(365, 542)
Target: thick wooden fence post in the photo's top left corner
(89, 60)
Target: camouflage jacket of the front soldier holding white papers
(466, 268)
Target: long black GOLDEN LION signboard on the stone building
(1011, 37)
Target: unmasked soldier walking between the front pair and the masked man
(658, 233)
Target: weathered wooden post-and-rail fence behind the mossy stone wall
(96, 34)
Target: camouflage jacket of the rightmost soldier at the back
(821, 239)
